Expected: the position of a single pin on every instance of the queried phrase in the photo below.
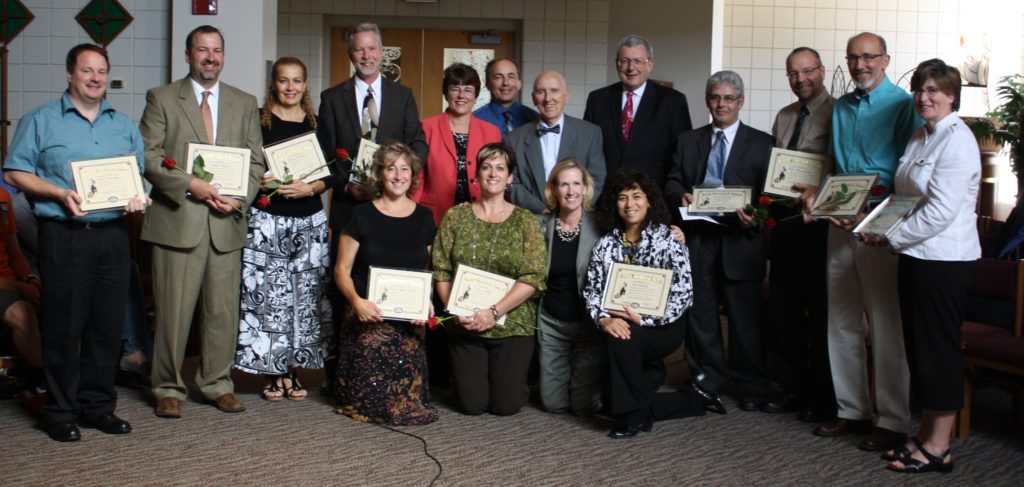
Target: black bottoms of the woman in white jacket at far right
(932, 295)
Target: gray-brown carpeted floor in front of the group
(307, 444)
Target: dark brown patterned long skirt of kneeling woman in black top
(382, 373)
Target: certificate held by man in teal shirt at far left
(107, 184)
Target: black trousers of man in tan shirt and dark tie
(797, 342)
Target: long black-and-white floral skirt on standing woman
(285, 321)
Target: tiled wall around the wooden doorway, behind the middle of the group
(569, 36)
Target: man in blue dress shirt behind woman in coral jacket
(505, 111)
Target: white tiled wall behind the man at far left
(139, 56)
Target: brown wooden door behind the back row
(416, 59)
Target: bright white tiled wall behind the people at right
(759, 34)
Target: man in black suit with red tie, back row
(639, 121)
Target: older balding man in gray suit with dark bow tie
(541, 145)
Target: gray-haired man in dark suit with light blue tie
(729, 260)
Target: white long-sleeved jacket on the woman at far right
(945, 167)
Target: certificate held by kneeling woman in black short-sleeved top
(401, 294)
